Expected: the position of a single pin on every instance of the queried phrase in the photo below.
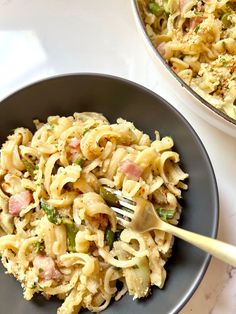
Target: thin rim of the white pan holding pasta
(182, 83)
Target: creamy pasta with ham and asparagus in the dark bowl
(58, 234)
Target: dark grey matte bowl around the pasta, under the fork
(115, 97)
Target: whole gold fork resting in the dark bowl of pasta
(141, 216)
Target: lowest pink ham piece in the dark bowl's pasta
(46, 267)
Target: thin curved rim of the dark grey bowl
(215, 223)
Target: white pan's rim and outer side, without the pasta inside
(191, 99)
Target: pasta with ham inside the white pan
(198, 40)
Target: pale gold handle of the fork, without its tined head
(223, 251)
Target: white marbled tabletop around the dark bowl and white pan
(47, 37)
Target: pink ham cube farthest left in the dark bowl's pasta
(19, 201)
